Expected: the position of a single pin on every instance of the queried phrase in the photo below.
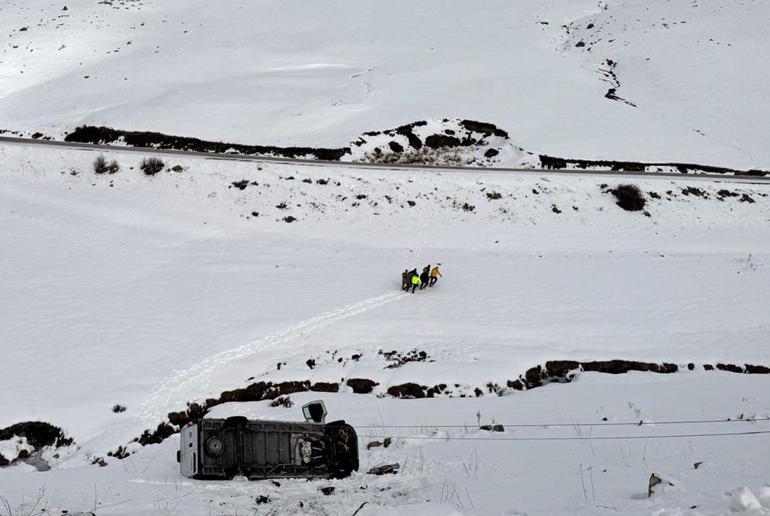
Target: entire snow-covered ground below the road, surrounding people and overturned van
(150, 292)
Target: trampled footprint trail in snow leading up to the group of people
(194, 382)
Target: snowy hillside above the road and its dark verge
(625, 80)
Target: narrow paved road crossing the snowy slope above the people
(5, 140)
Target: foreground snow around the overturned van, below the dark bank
(453, 471)
